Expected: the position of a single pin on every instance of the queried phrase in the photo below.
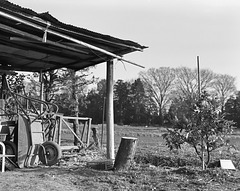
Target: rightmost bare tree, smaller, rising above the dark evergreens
(224, 86)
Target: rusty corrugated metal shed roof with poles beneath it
(31, 41)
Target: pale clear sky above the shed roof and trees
(176, 31)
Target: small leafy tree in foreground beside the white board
(205, 130)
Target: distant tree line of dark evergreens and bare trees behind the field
(154, 98)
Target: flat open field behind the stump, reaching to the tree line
(149, 138)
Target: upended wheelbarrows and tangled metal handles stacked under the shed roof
(27, 126)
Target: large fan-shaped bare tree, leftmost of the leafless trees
(158, 85)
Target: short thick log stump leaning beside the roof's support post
(125, 153)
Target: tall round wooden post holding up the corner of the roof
(109, 111)
